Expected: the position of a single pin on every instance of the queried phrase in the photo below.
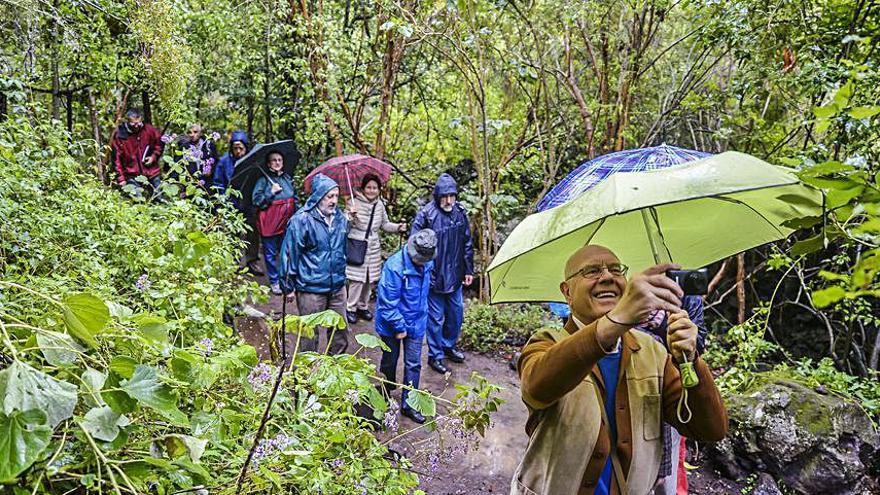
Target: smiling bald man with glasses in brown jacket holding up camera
(598, 393)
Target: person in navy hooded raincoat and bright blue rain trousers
(453, 266)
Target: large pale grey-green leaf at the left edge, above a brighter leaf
(23, 388)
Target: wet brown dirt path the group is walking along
(484, 467)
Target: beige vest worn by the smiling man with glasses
(562, 442)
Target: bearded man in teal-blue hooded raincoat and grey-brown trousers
(313, 261)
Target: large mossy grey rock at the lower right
(812, 443)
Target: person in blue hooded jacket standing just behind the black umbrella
(221, 180)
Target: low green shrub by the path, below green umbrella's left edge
(499, 328)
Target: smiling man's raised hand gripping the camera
(647, 292)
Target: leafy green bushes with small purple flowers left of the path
(117, 374)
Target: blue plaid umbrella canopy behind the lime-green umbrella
(595, 171)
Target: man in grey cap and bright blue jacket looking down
(402, 311)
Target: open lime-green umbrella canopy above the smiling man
(693, 214)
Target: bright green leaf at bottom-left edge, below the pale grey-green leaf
(23, 438)
